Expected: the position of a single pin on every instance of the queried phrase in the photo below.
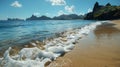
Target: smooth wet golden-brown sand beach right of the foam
(101, 48)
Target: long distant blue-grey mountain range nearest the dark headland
(68, 17)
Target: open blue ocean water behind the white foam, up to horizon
(21, 32)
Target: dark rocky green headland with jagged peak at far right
(107, 12)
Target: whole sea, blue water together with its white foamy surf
(37, 56)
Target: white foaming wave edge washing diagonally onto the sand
(35, 57)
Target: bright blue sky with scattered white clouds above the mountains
(25, 8)
